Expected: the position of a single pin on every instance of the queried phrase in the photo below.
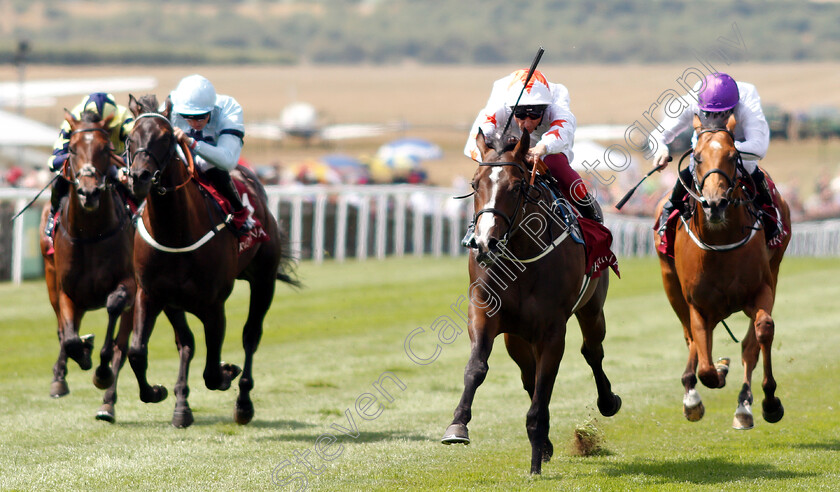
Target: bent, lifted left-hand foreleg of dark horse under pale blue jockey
(145, 314)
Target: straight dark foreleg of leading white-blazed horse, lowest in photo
(550, 352)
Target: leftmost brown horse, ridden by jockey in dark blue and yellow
(91, 266)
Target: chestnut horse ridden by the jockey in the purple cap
(721, 265)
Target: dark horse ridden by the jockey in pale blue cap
(187, 261)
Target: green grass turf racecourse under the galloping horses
(325, 346)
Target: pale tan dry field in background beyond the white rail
(439, 102)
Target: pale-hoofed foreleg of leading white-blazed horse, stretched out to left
(482, 333)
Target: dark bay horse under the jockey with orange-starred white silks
(545, 290)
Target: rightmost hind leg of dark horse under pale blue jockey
(262, 293)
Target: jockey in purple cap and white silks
(720, 97)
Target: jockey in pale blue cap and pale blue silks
(211, 125)
